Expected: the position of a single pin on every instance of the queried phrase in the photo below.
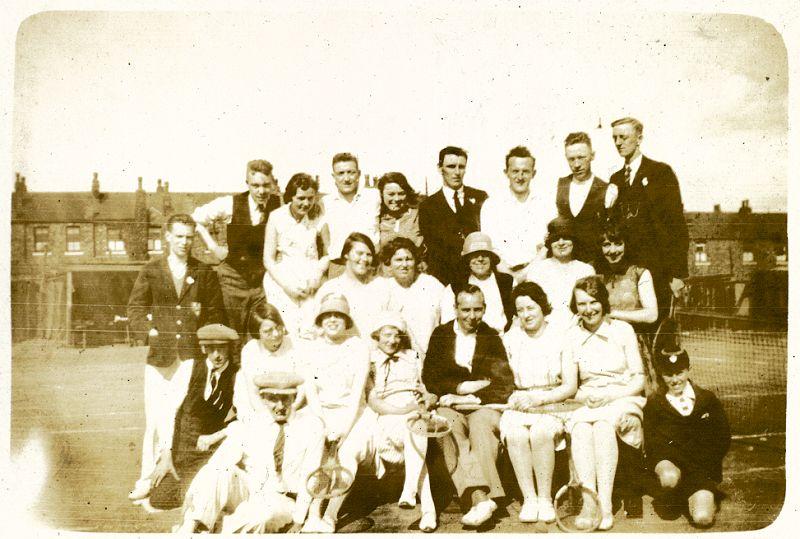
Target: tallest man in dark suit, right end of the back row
(651, 209)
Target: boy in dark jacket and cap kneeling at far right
(686, 436)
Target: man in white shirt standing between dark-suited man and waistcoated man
(516, 220)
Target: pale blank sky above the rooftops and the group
(191, 97)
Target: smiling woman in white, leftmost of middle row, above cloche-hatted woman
(358, 283)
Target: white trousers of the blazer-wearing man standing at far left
(164, 391)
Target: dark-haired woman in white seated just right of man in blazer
(542, 375)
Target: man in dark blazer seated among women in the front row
(467, 364)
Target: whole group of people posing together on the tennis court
(335, 321)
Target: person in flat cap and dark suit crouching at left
(201, 419)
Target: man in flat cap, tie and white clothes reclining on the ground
(249, 478)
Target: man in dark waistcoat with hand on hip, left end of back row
(244, 216)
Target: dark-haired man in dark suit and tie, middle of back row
(449, 215)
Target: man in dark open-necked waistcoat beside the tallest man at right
(583, 198)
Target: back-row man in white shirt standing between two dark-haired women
(349, 209)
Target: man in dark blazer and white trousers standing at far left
(173, 296)
